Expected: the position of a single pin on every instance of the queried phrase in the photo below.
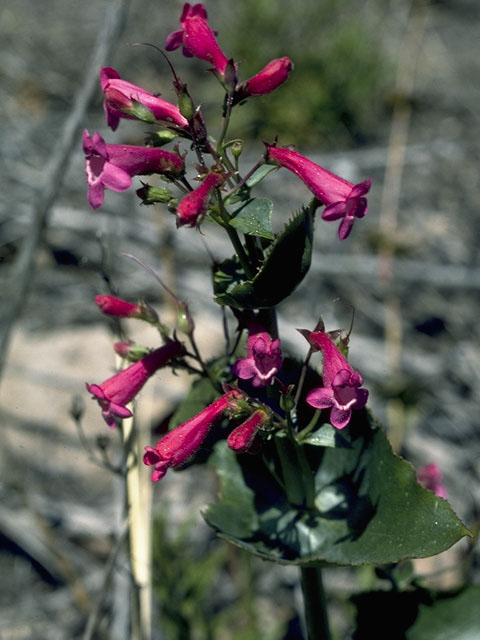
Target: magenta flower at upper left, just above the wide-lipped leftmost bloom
(120, 98)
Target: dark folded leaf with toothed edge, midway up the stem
(285, 266)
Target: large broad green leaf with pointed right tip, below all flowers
(369, 508)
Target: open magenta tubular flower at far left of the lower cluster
(116, 392)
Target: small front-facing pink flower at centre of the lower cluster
(264, 359)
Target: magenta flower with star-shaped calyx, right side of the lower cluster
(341, 390)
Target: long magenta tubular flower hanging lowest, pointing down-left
(182, 442)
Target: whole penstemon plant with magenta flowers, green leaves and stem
(308, 477)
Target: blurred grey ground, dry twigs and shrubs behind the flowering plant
(381, 89)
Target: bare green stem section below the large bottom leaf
(315, 604)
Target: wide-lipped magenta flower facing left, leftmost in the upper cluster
(112, 166)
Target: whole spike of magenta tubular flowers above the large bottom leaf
(260, 391)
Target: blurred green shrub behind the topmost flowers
(334, 93)
